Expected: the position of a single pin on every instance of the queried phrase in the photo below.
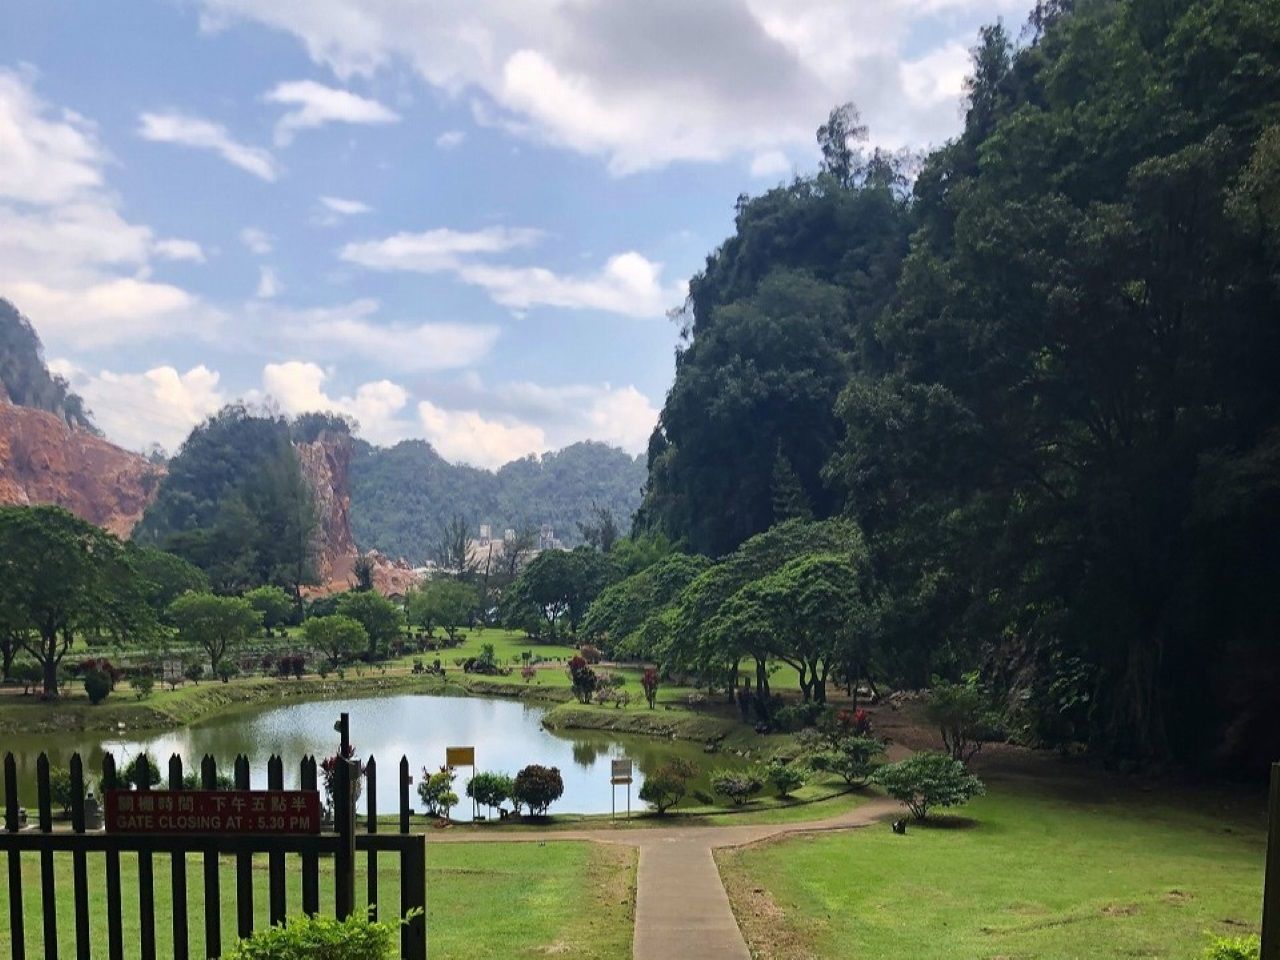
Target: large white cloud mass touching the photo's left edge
(68, 258)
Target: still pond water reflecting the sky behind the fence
(506, 734)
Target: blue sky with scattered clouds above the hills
(461, 221)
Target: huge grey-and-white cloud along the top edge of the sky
(647, 84)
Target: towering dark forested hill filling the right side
(1040, 376)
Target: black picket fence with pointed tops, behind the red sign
(341, 844)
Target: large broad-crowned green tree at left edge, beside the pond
(62, 578)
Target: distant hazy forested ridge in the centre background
(404, 496)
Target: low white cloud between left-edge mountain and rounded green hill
(158, 406)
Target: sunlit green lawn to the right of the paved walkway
(1030, 876)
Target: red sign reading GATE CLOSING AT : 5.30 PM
(213, 812)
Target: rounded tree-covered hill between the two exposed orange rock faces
(236, 505)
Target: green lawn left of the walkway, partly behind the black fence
(486, 902)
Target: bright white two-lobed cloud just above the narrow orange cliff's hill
(299, 387)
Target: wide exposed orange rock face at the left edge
(43, 460)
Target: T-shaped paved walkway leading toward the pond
(683, 911)
